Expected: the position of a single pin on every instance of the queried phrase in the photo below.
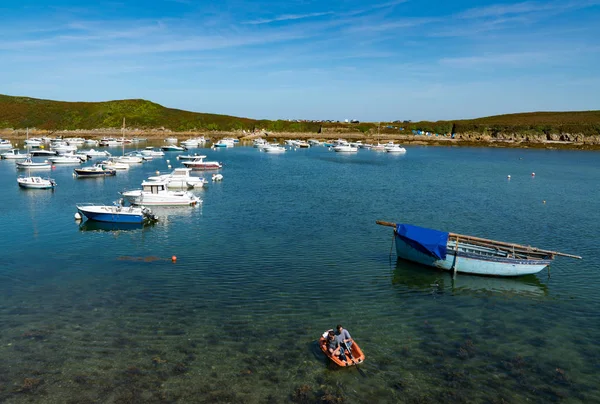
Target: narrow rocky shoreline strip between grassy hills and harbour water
(510, 140)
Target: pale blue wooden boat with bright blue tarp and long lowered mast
(468, 254)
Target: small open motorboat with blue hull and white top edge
(116, 213)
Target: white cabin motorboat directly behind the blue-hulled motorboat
(156, 193)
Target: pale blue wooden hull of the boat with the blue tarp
(472, 259)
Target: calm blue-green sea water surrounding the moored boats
(285, 248)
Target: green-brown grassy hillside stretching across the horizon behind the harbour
(22, 112)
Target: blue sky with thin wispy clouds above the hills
(303, 59)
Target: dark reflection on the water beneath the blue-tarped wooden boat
(422, 278)
